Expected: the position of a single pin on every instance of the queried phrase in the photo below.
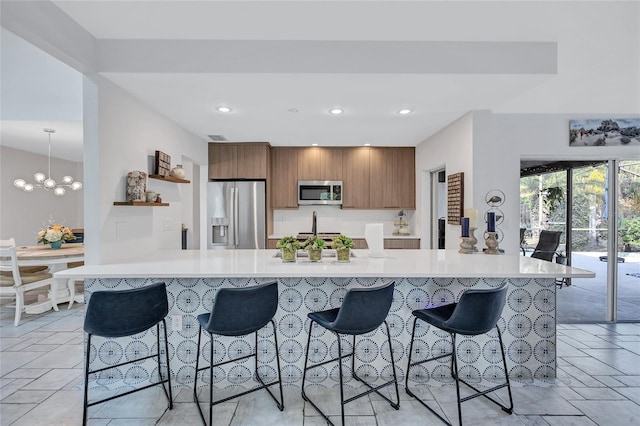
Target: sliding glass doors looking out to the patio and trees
(597, 207)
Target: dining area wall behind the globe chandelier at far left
(23, 214)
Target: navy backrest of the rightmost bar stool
(477, 311)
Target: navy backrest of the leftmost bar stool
(119, 313)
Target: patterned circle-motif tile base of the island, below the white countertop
(527, 323)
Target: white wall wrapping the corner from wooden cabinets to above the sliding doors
(498, 142)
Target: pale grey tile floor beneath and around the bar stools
(41, 364)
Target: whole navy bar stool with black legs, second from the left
(238, 312)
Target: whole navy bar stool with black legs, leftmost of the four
(121, 313)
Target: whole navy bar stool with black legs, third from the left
(363, 310)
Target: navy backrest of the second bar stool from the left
(240, 311)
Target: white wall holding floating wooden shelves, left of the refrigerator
(128, 134)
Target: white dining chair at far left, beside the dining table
(14, 282)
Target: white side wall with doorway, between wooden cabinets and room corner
(450, 148)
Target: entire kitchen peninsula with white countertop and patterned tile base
(423, 277)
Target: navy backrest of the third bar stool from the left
(364, 309)
